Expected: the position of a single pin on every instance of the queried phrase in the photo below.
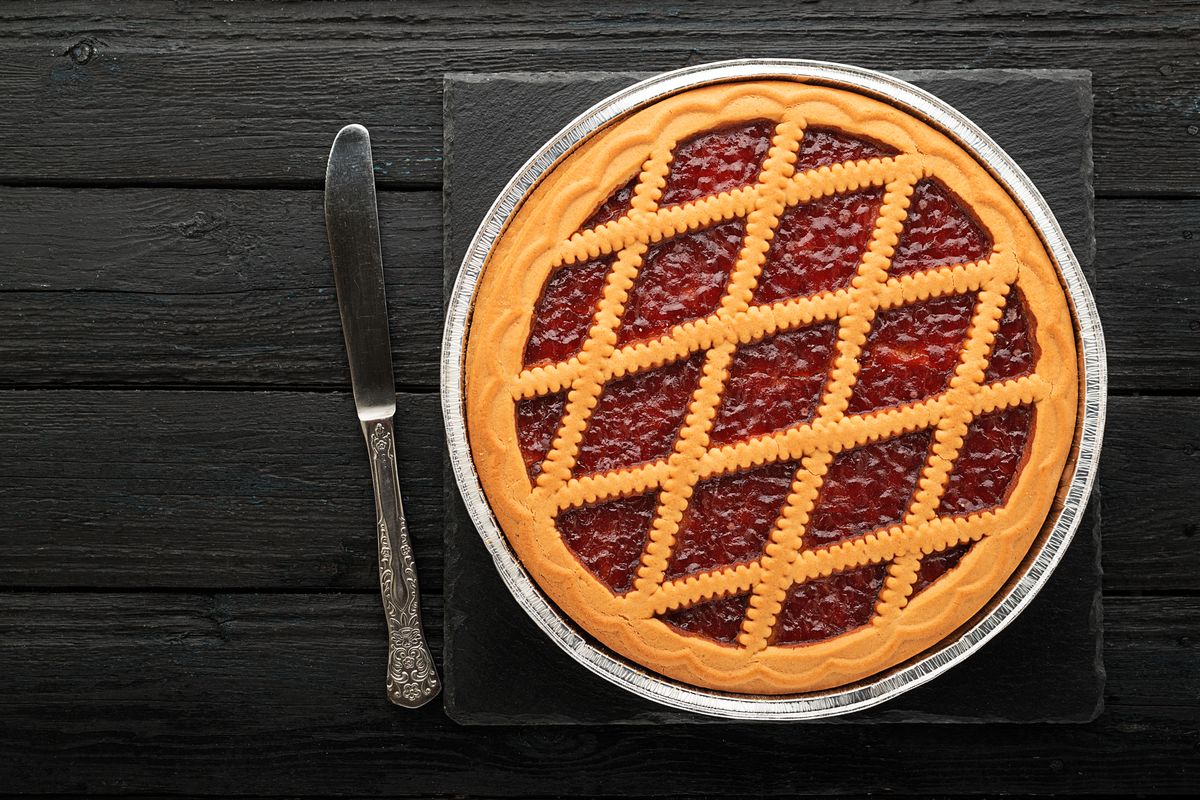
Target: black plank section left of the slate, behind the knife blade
(200, 287)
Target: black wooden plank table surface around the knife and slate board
(188, 590)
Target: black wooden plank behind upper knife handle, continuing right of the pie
(218, 490)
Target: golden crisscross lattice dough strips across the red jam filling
(785, 561)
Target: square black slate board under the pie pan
(501, 670)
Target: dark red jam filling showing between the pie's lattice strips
(775, 384)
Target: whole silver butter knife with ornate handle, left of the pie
(352, 222)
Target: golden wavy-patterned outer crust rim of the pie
(508, 291)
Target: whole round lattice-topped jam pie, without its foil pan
(771, 387)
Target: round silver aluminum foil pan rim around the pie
(1064, 520)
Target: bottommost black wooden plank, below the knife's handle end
(283, 695)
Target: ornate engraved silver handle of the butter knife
(412, 678)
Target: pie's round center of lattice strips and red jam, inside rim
(898, 348)
